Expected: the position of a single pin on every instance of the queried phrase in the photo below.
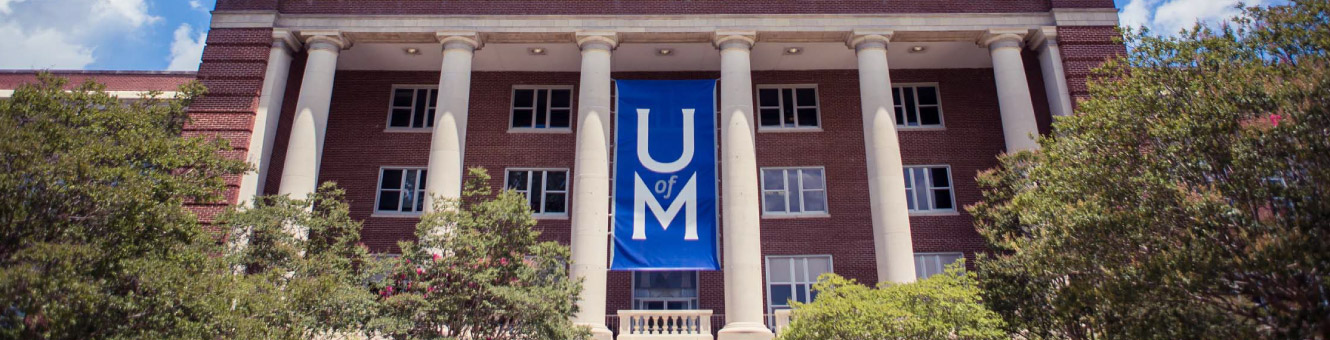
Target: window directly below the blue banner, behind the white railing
(666, 290)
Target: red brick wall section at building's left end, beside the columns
(235, 63)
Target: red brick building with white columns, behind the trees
(853, 129)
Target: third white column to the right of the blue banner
(1018, 110)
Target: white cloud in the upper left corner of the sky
(66, 34)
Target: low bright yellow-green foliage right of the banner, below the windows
(945, 306)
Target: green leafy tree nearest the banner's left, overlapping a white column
(479, 273)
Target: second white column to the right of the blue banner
(892, 241)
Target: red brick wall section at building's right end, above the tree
(1085, 48)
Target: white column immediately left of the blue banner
(591, 183)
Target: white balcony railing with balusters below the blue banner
(666, 325)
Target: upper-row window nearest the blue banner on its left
(542, 107)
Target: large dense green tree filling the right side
(1187, 200)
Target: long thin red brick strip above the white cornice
(655, 7)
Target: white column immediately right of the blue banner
(740, 196)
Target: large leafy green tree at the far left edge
(95, 240)
